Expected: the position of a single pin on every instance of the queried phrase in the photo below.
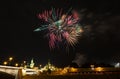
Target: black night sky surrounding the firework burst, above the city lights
(100, 41)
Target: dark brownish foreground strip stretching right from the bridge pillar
(77, 76)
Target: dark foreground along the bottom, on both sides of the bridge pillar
(108, 75)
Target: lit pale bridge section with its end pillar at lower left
(15, 71)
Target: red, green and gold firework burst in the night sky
(62, 27)
